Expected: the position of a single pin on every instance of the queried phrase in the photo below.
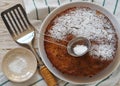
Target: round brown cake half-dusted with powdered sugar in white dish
(80, 22)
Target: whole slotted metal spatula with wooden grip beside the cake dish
(23, 33)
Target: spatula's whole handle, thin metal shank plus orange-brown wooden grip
(43, 70)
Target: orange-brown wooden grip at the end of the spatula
(48, 77)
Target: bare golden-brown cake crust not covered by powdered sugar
(81, 66)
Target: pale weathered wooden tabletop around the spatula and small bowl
(6, 41)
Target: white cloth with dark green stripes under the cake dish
(37, 10)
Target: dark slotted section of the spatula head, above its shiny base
(16, 20)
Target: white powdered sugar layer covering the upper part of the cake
(87, 23)
